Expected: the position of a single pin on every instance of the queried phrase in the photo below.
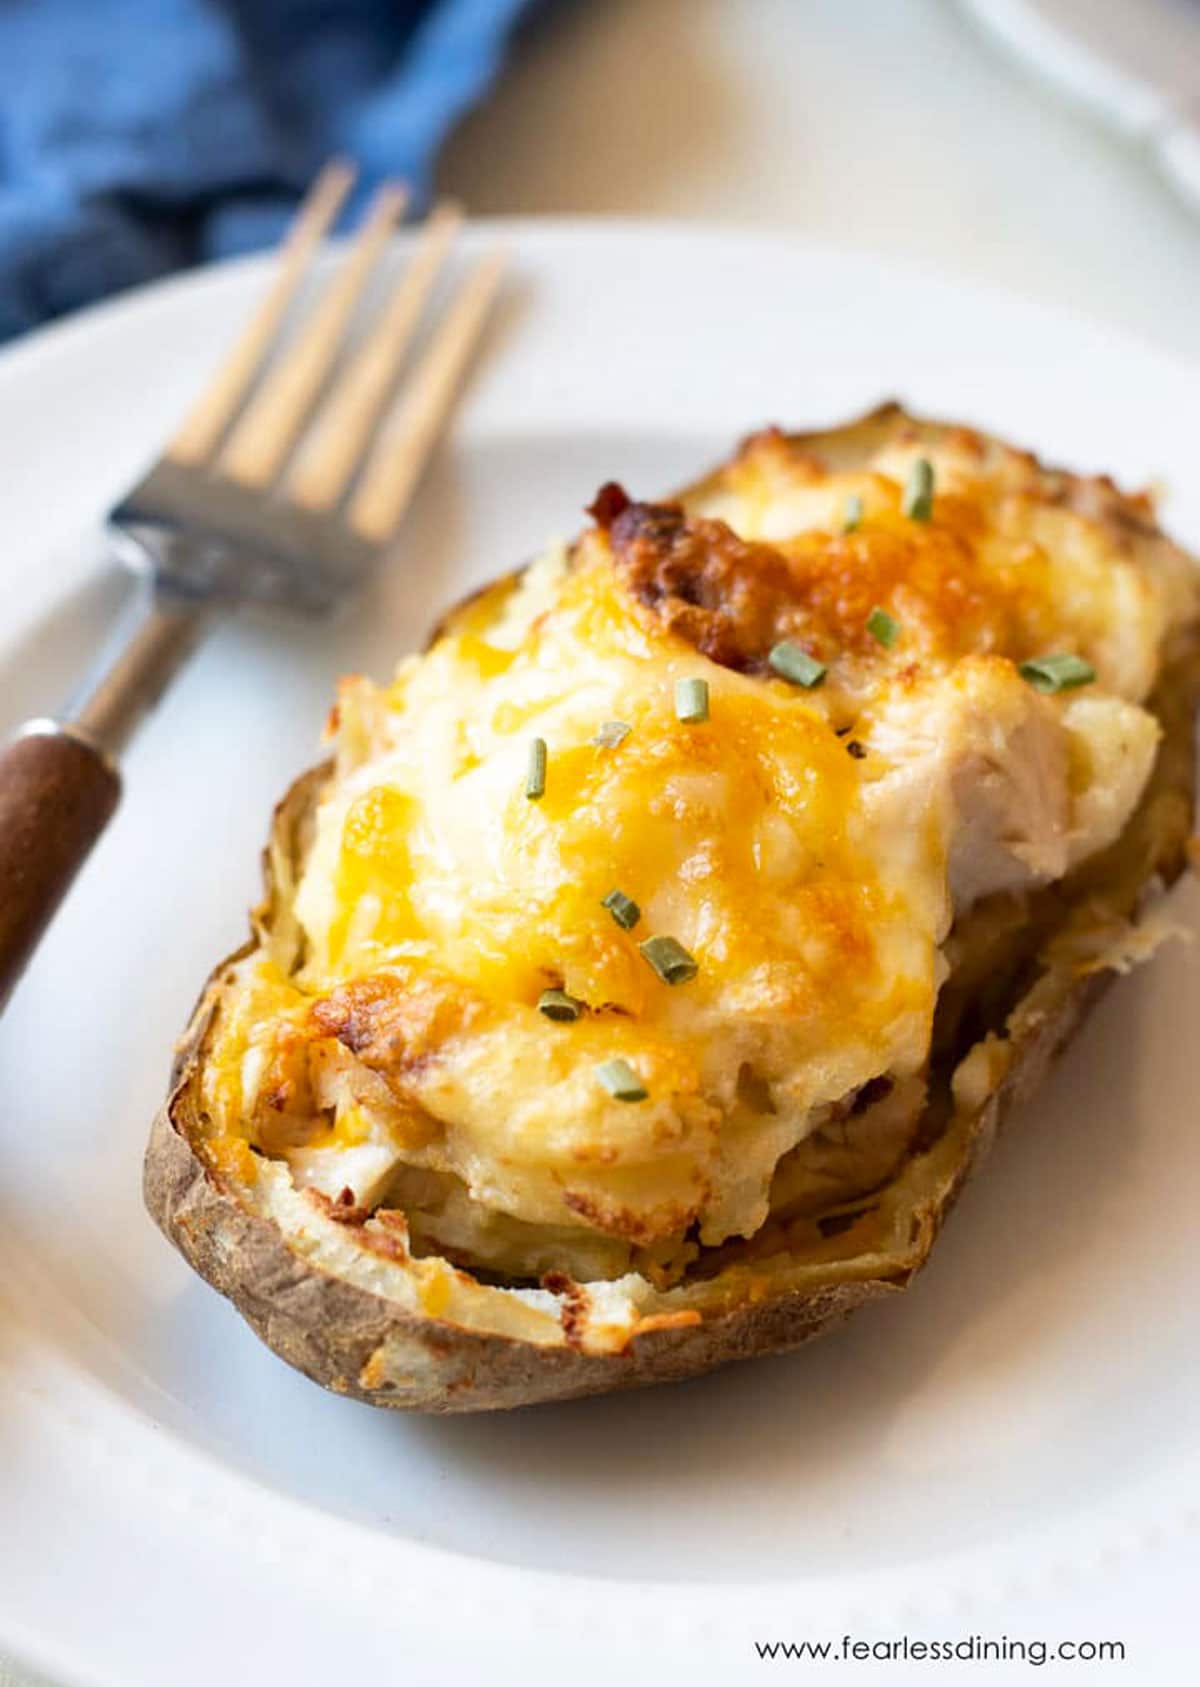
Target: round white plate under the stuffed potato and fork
(1022, 1426)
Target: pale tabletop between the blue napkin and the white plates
(887, 126)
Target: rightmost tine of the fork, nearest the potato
(408, 439)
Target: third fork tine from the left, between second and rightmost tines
(338, 438)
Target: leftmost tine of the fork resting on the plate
(214, 411)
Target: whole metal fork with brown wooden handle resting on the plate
(283, 487)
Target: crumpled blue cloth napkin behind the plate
(141, 136)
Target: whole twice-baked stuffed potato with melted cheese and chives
(657, 956)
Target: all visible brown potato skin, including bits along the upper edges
(364, 1345)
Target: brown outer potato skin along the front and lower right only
(333, 1330)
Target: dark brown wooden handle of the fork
(57, 797)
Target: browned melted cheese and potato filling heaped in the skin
(806, 848)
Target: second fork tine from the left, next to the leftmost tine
(266, 433)
